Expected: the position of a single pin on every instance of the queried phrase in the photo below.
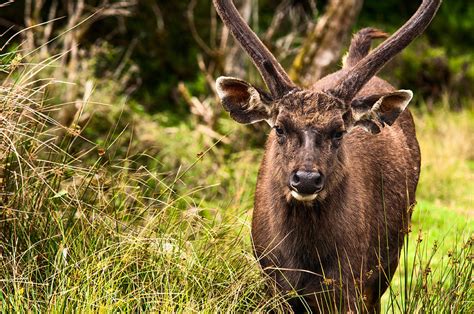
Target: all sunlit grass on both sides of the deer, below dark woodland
(129, 212)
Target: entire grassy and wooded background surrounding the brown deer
(125, 186)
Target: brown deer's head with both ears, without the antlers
(308, 130)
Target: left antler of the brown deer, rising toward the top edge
(275, 77)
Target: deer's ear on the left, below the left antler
(245, 103)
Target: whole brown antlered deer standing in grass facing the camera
(339, 174)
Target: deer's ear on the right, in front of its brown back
(374, 112)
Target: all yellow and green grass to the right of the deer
(437, 257)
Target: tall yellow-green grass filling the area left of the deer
(86, 227)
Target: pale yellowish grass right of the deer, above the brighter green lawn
(447, 144)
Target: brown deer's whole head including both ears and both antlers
(309, 126)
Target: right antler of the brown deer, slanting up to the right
(366, 68)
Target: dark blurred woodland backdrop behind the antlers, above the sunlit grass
(152, 46)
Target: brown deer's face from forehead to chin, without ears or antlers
(308, 132)
